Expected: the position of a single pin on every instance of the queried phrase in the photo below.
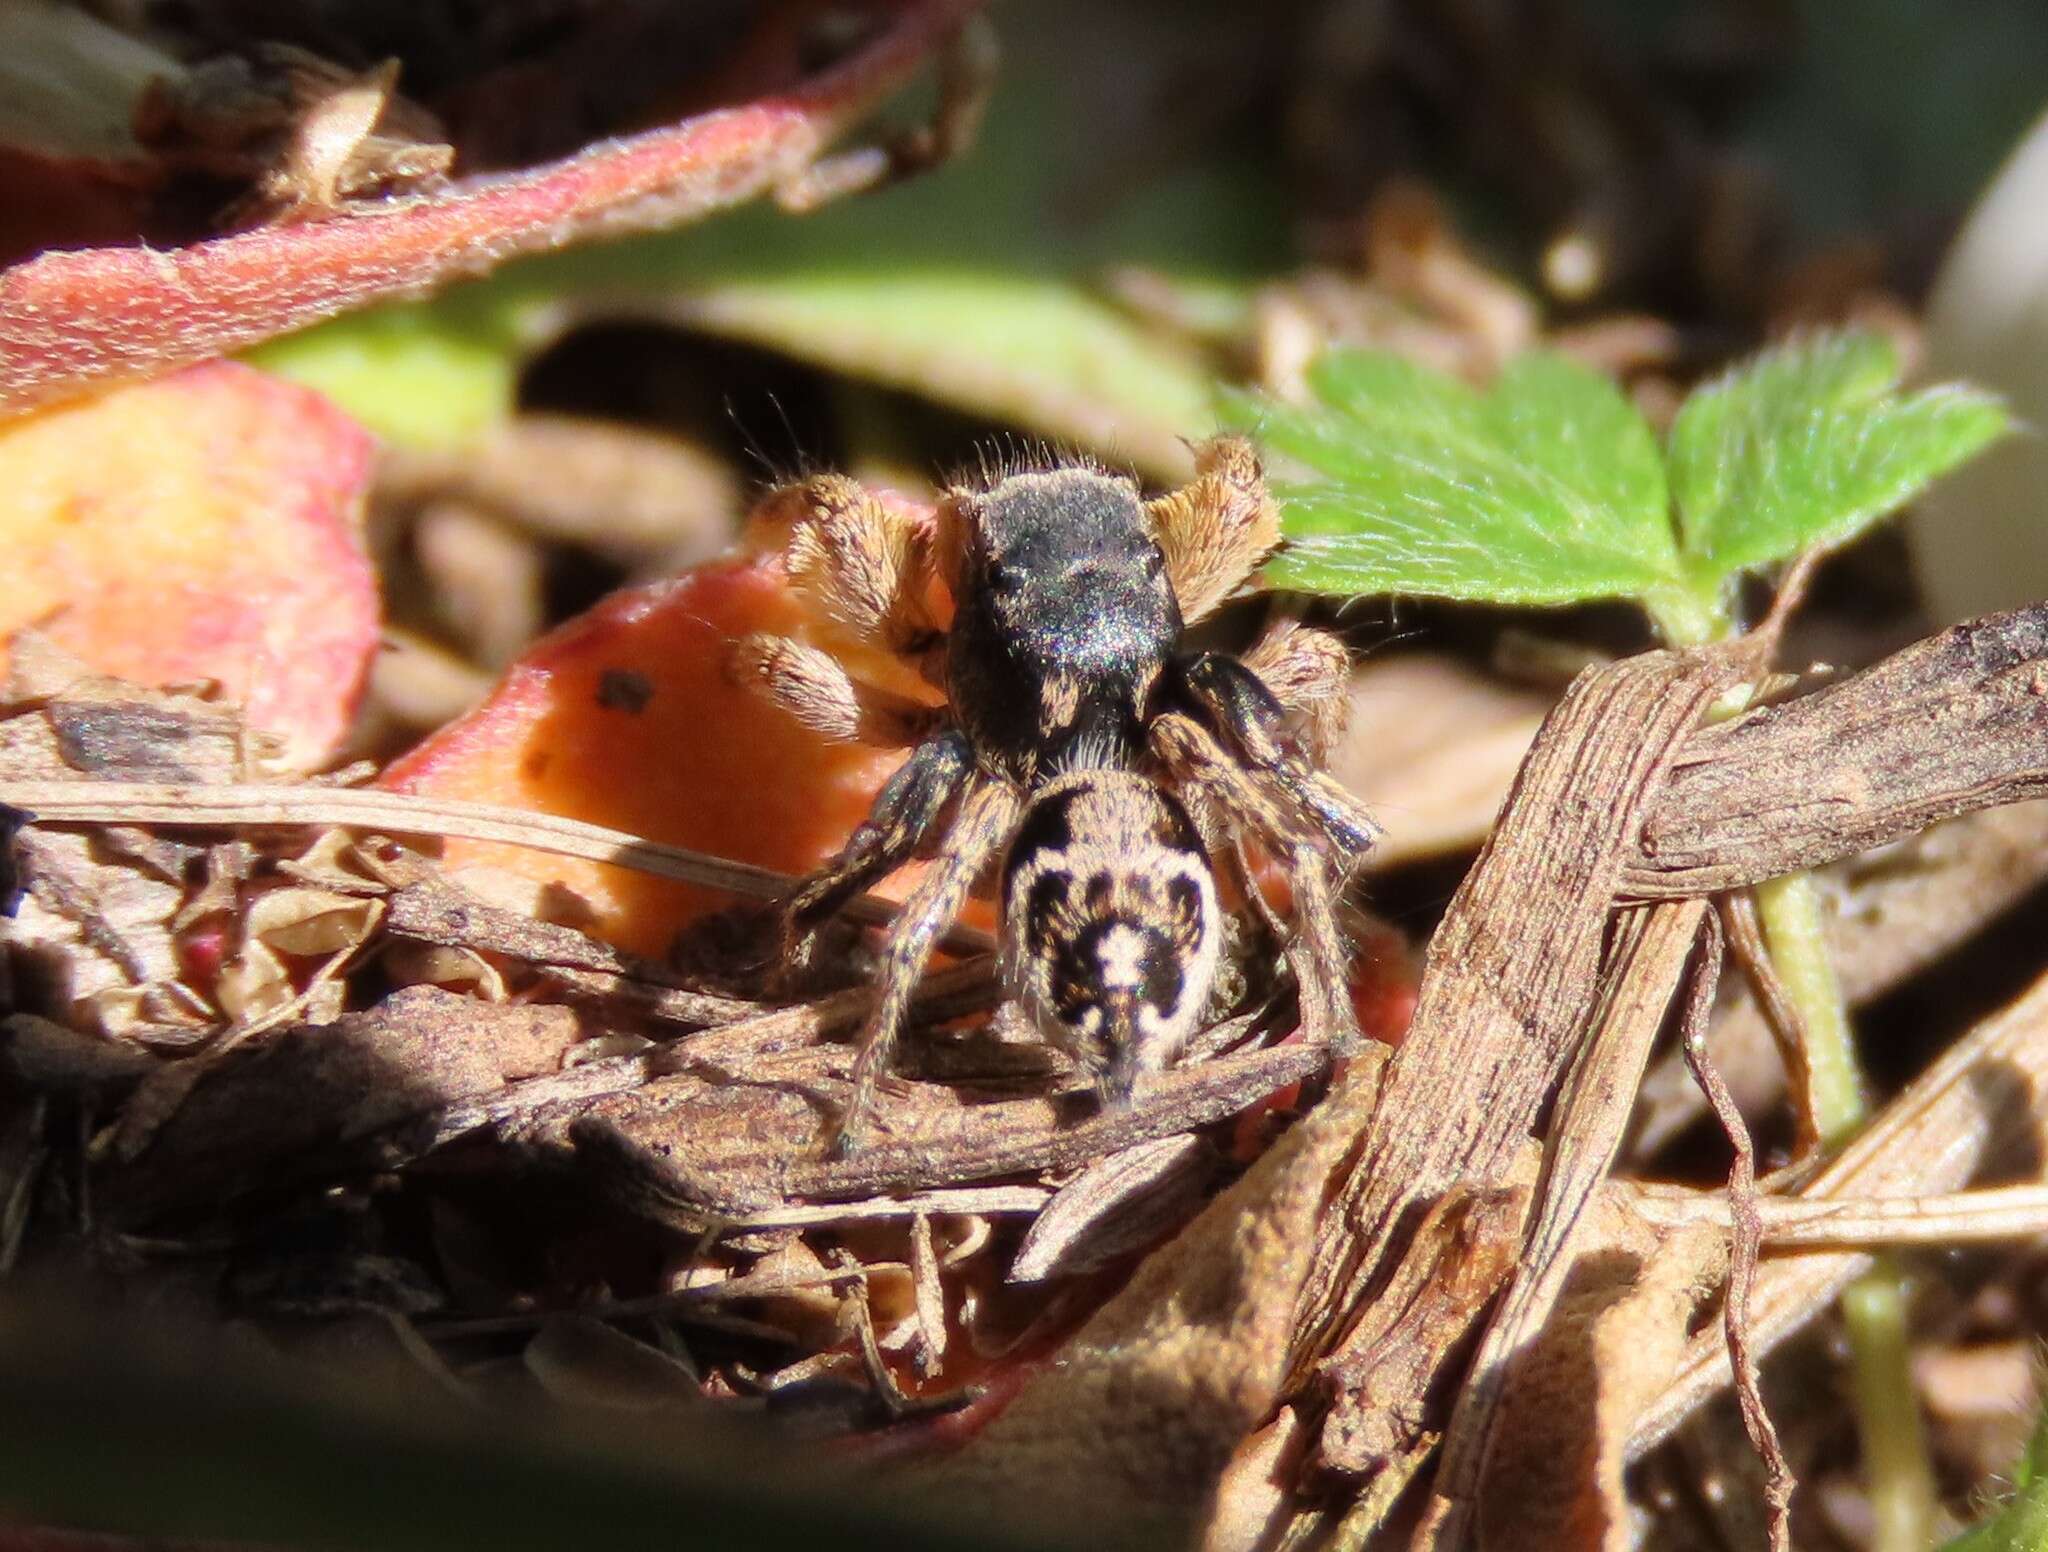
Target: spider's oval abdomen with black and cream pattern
(1111, 924)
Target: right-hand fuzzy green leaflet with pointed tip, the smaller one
(1807, 447)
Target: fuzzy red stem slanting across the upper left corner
(71, 320)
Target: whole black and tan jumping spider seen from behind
(1078, 742)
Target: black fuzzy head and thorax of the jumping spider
(1064, 621)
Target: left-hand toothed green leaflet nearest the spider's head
(1545, 490)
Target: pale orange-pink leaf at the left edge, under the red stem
(200, 527)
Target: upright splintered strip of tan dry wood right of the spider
(1508, 990)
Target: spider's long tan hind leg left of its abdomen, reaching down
(988, 816)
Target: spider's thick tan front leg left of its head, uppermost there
(863, 562)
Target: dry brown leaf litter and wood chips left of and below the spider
(278, 1008)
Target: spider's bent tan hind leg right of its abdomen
(1316, 949)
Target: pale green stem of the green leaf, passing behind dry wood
(1897, 1467)
